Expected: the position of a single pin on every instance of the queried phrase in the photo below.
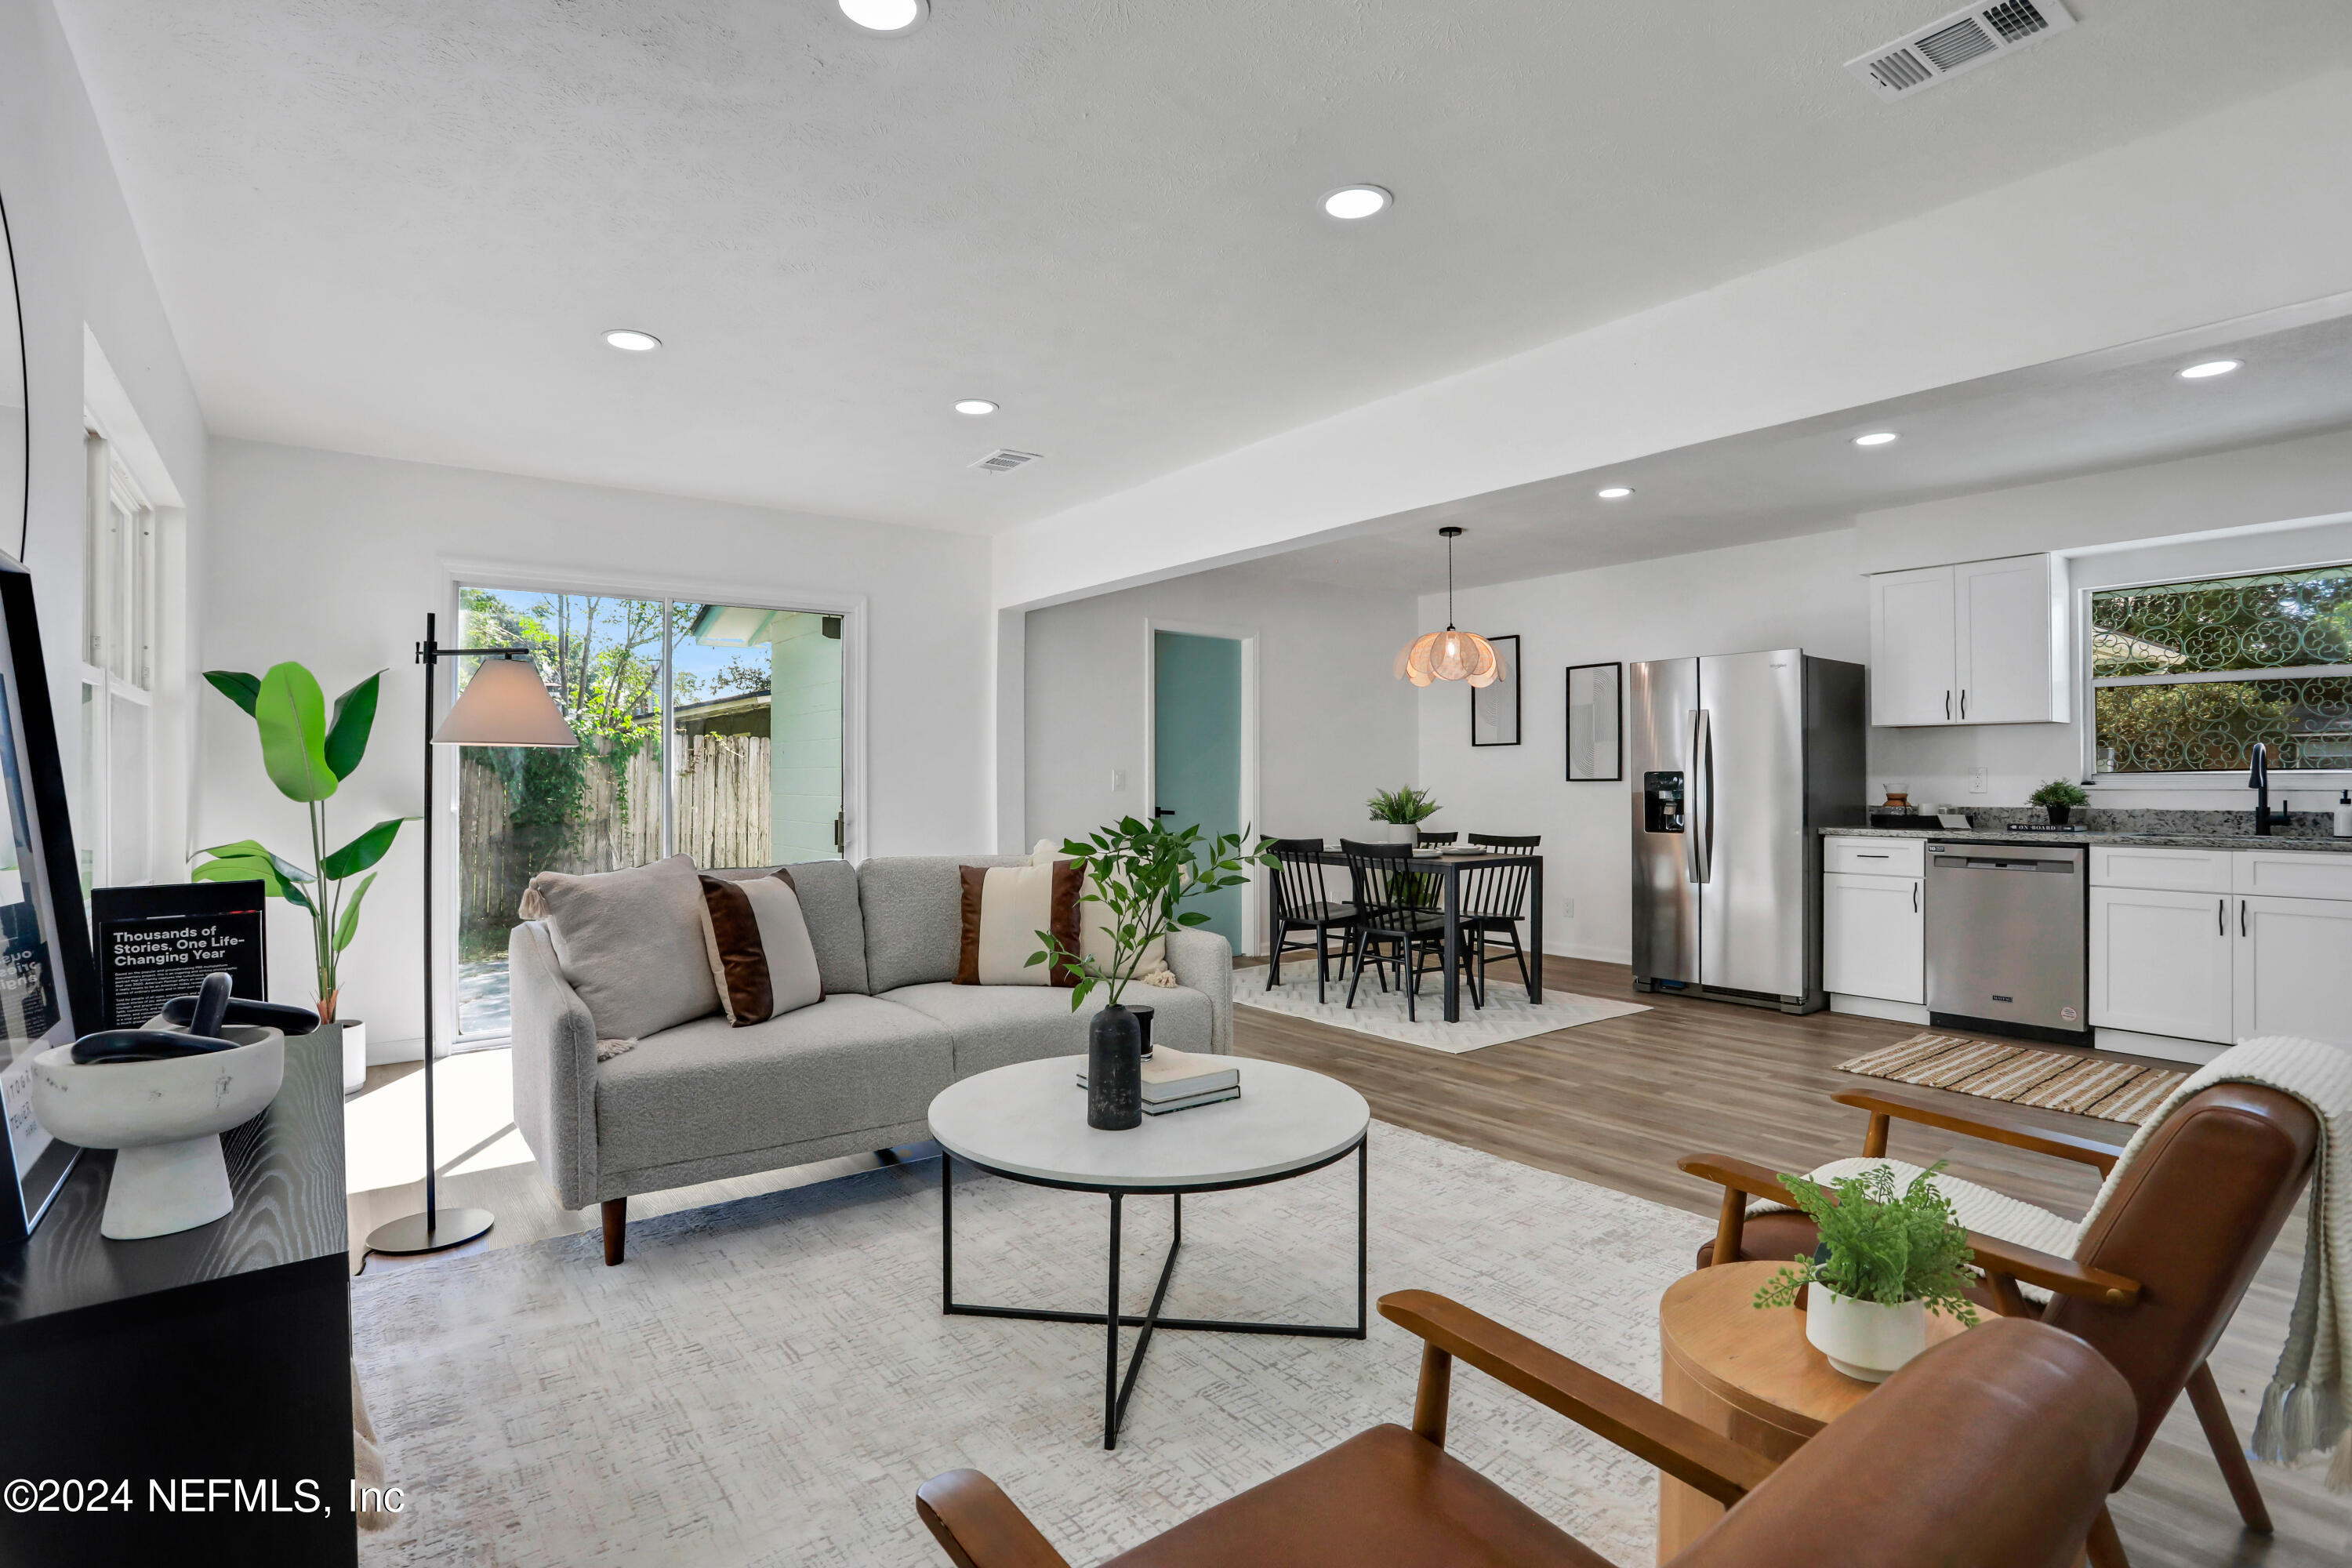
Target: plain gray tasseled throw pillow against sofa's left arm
(632, 944)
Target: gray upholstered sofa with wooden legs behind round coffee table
(848, 1076)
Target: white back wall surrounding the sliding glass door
(335, 561)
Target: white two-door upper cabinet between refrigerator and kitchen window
(1982, 643)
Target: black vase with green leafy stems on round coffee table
(1140, 871)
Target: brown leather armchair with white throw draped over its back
(2151, 1285)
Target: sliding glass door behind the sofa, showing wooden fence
(707, 730)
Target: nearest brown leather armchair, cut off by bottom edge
(1991, 1452)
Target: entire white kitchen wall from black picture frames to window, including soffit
(2118, 528)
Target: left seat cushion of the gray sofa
(709, 1090)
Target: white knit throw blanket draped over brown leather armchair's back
(2308, 1402)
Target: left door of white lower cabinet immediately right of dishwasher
(2160, 963)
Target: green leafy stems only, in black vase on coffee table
(1142, 871)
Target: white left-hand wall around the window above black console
(83, 281)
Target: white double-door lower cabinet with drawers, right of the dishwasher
(2217, 965)
